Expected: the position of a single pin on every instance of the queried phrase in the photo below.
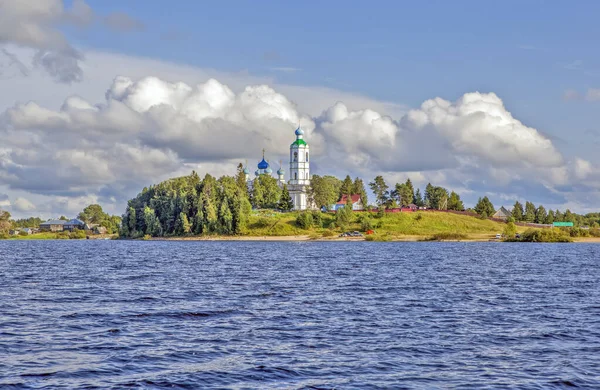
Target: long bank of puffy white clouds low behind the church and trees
(109, 137)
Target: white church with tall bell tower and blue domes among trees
(299, 181)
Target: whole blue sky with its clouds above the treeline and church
(100, 98)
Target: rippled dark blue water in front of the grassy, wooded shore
(105, 314)
